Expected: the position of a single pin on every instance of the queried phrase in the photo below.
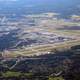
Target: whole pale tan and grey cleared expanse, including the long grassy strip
(46, 25)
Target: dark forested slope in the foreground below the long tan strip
(59, 65)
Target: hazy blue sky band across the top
(62, 6)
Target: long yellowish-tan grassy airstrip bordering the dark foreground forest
(40, 50)
